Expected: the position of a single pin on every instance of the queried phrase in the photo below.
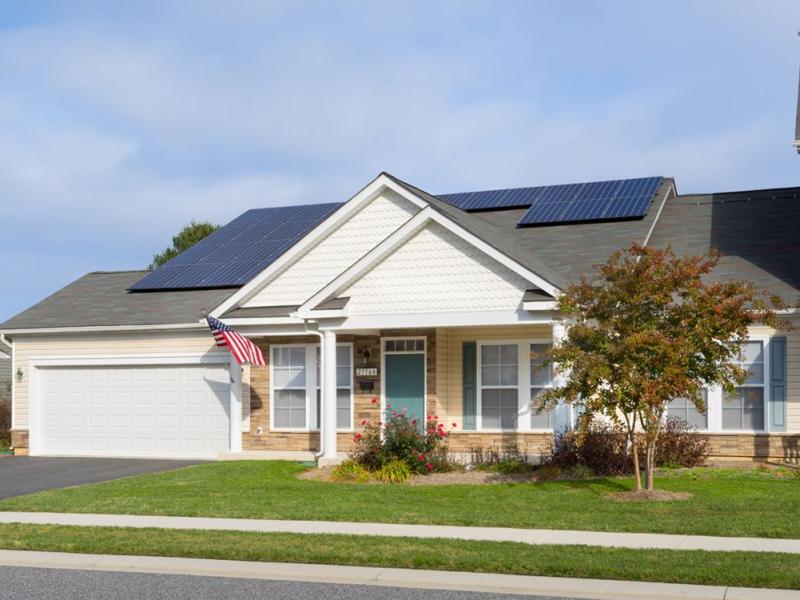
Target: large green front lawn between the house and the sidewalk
(730, 502)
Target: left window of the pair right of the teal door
(499, 386)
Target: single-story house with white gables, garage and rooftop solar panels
(432, 304)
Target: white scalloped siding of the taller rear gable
(349, 242)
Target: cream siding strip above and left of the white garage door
(98, 344)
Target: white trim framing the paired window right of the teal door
(523, 385)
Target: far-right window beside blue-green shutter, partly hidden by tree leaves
(744, 408)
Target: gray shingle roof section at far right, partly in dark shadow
(756, 232)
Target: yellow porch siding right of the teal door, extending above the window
(448, 358)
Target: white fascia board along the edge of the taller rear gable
(360, 199)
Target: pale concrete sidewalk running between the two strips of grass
(493, 534)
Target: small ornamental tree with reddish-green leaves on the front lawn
(647, 328)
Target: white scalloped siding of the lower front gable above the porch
(436, 271)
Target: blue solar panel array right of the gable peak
(567, 203)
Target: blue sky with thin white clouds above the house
(119, 125)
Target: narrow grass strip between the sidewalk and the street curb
(747, 569)
